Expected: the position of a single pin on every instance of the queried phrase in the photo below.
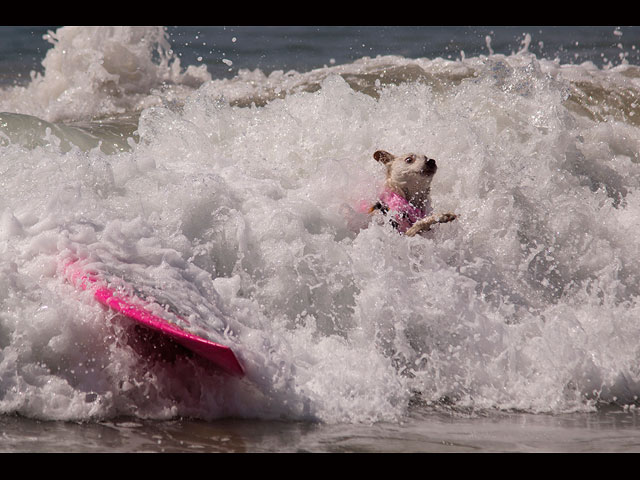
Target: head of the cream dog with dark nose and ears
(410, 173)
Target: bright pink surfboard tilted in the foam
(133, 307)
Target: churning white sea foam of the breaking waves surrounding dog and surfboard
(235, 212)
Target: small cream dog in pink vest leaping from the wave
(406, 194)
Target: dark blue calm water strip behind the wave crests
(303, 48)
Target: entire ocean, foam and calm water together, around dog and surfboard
(220, 170)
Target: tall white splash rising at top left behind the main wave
(99, 72)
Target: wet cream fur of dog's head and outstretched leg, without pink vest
(410, 176)
